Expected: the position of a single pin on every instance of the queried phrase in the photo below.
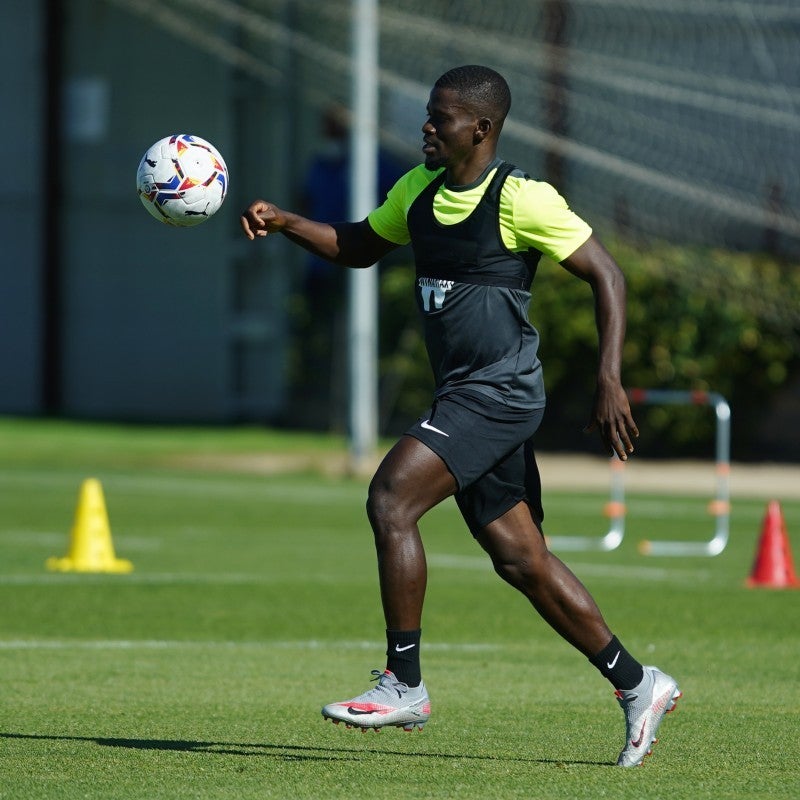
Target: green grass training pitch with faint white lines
(254, 601)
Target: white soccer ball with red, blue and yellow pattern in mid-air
(182, 180)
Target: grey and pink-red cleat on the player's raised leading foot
(390, 702)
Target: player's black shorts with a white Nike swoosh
(489, 453)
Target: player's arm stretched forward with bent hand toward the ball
(351, 244)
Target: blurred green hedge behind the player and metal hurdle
(698, 319)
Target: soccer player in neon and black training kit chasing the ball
(478, 226)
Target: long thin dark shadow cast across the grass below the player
(285, 752)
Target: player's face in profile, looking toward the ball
(448, 132)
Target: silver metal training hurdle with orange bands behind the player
(616, 510)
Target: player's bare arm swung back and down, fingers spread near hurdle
(611, 413)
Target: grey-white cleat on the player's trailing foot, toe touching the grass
(645, 707)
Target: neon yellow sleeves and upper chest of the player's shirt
(532, 213)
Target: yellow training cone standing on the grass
(90, 548)
